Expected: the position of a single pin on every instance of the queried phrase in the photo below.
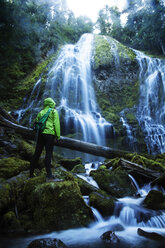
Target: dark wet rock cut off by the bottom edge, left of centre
(47, 243)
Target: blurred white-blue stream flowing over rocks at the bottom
(128, 216)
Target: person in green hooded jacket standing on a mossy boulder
(46, 137)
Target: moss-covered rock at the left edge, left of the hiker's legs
(12, 166)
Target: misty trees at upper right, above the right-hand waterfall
(144, 28)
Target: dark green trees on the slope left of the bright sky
(30, 31)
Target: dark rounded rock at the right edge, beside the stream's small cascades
(155, 200)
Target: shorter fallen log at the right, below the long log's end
(139, 169)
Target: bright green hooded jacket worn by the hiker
(52, 123)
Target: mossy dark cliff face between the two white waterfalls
(116, 82)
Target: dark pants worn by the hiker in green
(47, 141)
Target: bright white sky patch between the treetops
(91, 8)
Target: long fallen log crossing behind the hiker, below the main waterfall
(65, 142)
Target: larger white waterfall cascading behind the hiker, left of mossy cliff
(69, 83)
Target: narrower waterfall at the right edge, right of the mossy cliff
(151, 107)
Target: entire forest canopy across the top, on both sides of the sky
(32, 30)
